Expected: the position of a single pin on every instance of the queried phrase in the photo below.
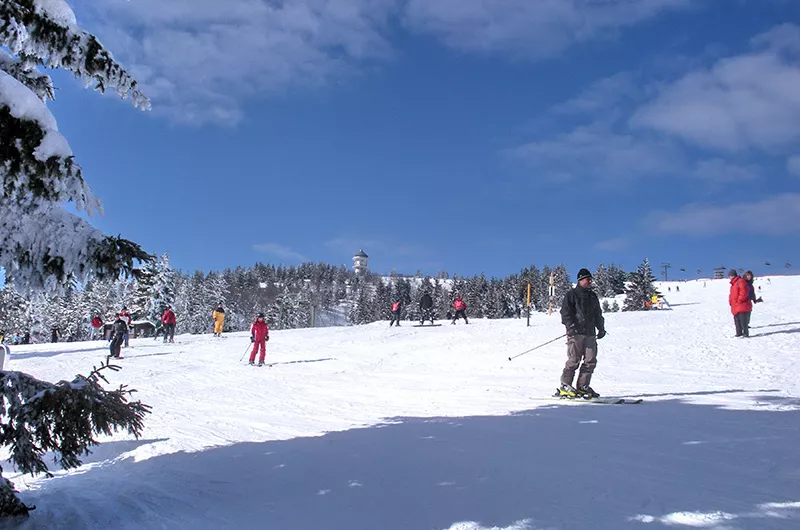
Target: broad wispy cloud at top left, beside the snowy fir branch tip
(198, 59)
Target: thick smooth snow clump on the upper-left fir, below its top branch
(24, 104)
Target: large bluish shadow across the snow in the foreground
(657, 465)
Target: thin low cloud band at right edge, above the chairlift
(776, 216)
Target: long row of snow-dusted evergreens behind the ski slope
(291, 296)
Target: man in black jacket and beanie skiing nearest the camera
(581, 315)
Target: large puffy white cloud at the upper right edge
(740, 103)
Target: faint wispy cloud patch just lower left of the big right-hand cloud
(596, 152)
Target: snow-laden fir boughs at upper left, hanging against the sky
(43, 244)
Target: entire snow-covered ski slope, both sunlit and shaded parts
(372, 427)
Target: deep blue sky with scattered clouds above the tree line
(459, 135)
